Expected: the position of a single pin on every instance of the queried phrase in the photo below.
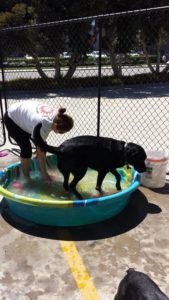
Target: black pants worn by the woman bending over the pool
(22, 138)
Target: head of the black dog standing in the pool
(135, 156)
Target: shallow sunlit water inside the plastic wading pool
(38, 188)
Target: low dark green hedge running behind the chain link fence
(43, 84)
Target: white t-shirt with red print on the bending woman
(28, 114)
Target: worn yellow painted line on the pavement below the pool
(82, 277)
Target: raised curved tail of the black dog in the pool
(41, 143)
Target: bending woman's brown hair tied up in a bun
(62, 121)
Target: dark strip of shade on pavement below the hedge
(134, 92)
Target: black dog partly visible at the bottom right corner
(138, 286)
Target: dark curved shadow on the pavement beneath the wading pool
(129, 218)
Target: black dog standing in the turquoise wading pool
(99, 153)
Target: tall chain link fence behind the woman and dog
(110, 72)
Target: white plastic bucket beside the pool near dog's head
(155, 175)
